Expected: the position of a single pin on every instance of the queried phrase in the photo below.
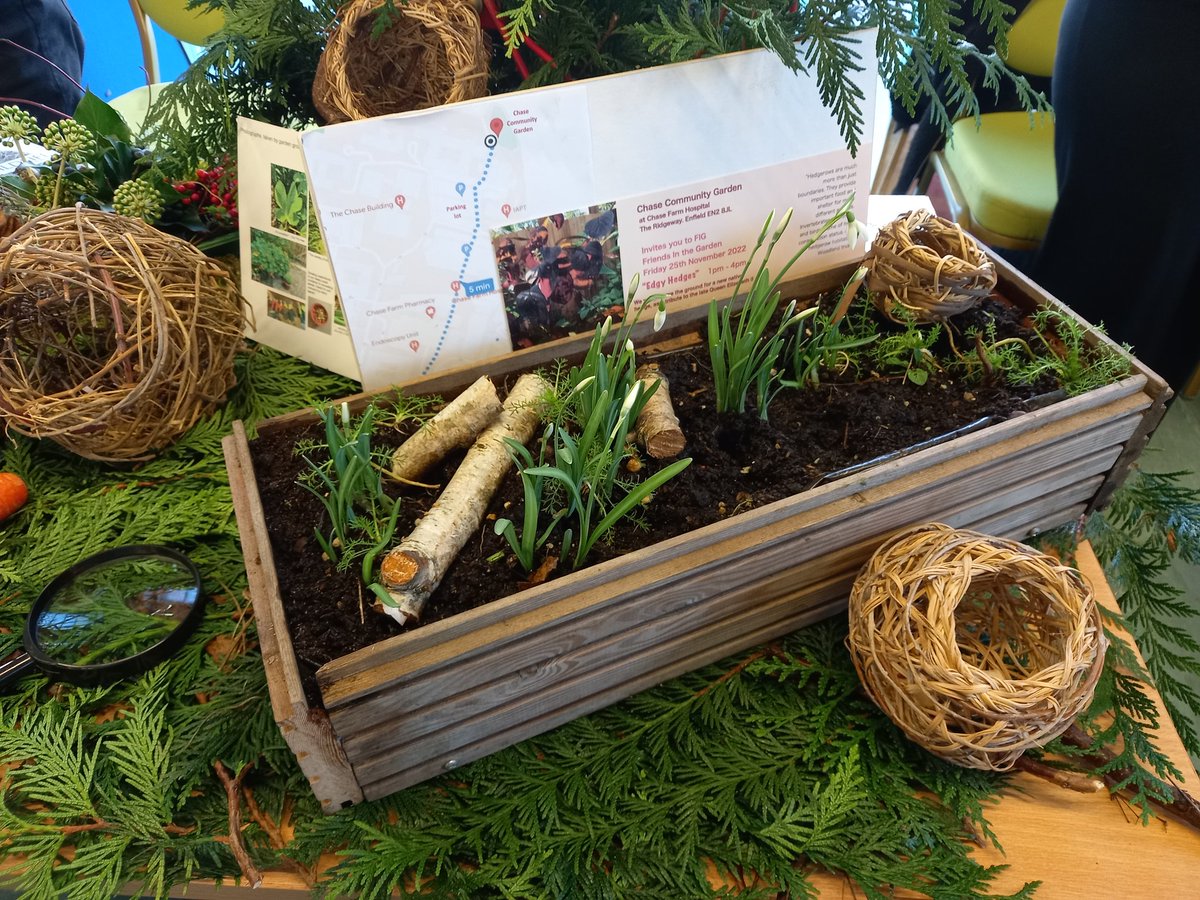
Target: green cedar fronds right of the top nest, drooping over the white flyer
(920, 46)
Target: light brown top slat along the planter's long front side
(343, 685)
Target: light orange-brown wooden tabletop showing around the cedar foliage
(1087, 847)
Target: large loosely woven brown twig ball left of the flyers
(116, 338)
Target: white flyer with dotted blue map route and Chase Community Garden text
(464, 232)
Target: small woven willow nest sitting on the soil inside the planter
(929, 268)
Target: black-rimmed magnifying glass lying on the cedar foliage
(115, 615)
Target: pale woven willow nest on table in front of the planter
(977, 647)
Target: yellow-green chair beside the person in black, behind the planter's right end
(1000, 177)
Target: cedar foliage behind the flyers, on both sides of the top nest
(262, 63)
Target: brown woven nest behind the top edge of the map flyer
(434, 55)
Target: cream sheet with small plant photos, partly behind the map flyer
(286, 277)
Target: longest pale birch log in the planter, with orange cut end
(413, 569)
